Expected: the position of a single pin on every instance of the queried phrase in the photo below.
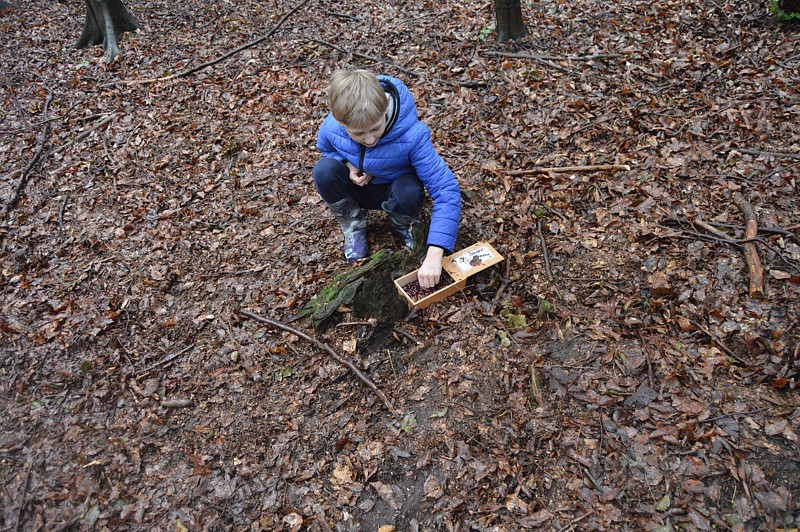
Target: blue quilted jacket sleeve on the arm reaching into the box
(443, 189)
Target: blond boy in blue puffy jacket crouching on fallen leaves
(376, 154)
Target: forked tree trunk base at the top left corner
(105, 21)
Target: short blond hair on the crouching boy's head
(356, 98)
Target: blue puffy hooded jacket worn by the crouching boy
(405, 148)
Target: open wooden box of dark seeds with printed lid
(456, 268)
